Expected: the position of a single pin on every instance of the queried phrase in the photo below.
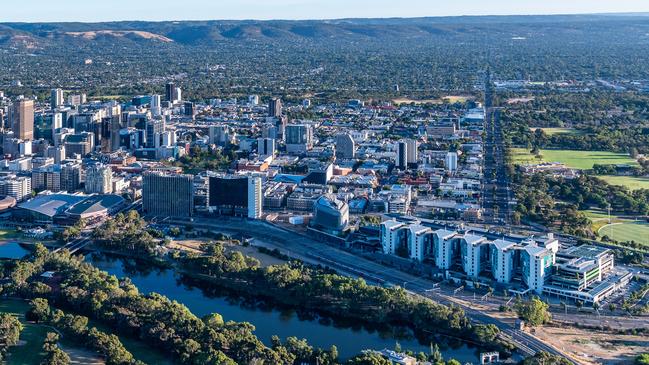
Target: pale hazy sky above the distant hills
(106, 10)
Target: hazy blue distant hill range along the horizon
(205, 33)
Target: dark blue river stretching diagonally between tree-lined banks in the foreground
(269, 320)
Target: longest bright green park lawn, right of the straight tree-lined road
(582, 160)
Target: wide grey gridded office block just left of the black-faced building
(168, 195)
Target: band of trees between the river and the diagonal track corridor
(317, 289)
